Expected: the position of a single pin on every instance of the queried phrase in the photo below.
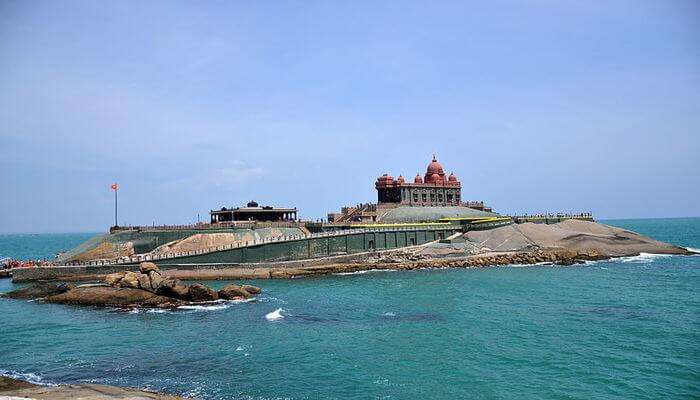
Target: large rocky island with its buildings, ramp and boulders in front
(418, 224)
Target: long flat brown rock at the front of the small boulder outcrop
(114, 297)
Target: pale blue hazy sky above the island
(535, 105)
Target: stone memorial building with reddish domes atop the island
(435, 188)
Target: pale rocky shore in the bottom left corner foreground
(18, 389)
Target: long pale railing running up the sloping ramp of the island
(248, 243)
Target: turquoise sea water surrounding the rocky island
(627, 328)
